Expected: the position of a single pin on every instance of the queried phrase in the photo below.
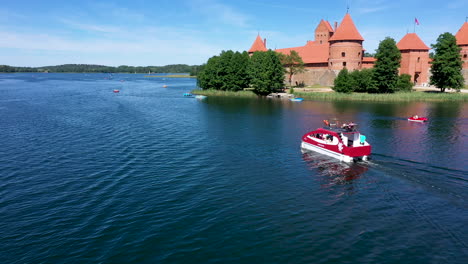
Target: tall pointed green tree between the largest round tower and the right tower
(386, 67)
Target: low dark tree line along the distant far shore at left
(90, 68)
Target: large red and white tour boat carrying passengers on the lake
(342, 142)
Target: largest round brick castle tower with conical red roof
(346, 47)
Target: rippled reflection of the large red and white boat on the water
(331, 172)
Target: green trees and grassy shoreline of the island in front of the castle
(265, 72)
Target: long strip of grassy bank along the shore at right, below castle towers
(396, 97)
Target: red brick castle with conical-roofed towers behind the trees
(336, 48)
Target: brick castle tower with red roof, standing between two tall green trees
(414, 58)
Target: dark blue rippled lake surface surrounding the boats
(148, 176)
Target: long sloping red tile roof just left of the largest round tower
(312, 52)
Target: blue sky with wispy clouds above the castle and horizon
(162, 32)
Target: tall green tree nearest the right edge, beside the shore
(447, 64)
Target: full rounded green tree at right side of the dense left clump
(266, 72)
